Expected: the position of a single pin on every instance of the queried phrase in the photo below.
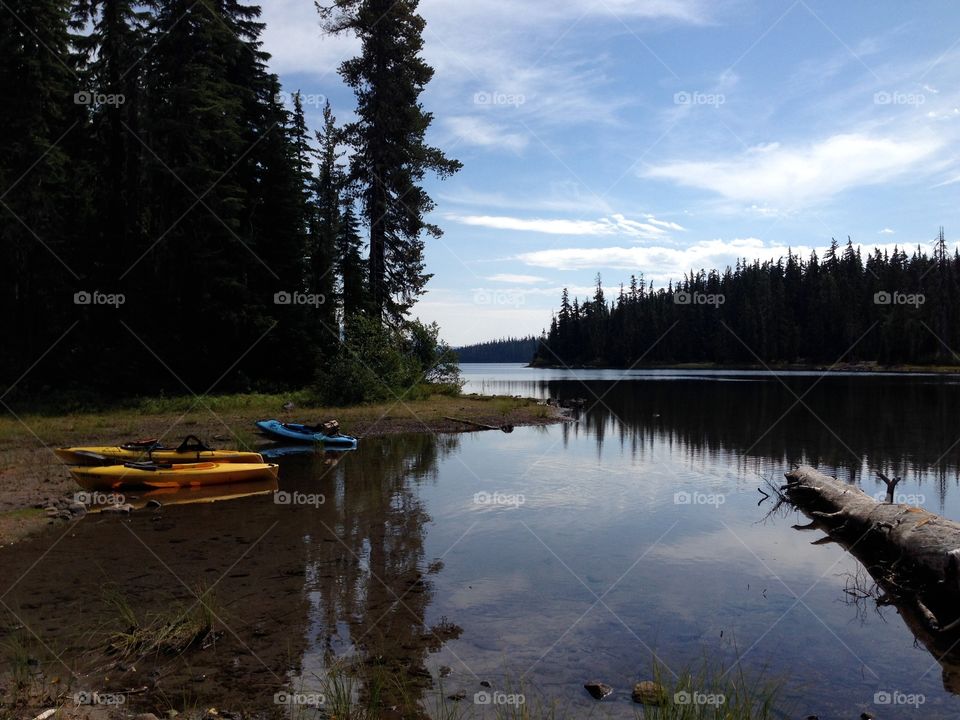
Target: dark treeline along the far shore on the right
(891, 307)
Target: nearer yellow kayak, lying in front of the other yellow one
(121, 477)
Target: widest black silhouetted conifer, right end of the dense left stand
(226, 218)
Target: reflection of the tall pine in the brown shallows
(368, 578)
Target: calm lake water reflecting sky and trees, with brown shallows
(541, 559)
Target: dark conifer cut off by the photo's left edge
(37, 203)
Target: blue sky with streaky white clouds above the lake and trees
(660, 136)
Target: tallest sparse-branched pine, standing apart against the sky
(391, 157)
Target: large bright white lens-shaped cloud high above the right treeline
(798, 176)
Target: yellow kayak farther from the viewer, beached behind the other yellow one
(151, 450)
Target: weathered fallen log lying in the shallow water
(913, 555)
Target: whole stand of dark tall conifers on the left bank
(168, 221)
